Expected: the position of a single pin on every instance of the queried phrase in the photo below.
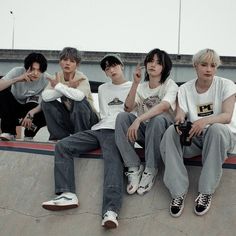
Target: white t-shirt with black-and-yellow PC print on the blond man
(197, 106)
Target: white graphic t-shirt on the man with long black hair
(146, 97)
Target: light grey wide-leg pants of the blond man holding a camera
(212, 145)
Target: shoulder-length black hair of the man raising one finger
(164, 60)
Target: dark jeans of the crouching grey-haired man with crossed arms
(61, 122)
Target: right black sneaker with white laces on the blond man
(203, 203)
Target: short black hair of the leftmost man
(36, 57)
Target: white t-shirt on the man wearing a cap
(111, 102)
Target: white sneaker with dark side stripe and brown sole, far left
(64, 201)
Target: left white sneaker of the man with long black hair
(133, 179)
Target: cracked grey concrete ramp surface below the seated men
(26, 180)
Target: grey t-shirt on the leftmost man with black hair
(23, 91)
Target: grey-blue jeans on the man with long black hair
(149, 134)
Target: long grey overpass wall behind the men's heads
(182, 66)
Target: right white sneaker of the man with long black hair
(147, 181)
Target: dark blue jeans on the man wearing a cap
(71, 147)
